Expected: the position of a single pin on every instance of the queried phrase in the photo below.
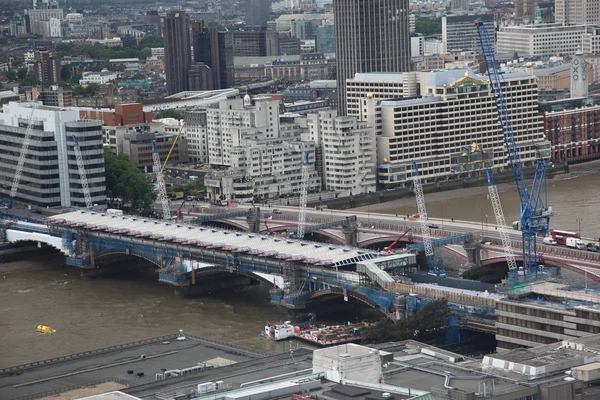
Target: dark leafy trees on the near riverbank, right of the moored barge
(428, 325)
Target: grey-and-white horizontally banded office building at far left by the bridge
(51, 176)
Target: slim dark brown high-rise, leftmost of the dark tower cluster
(176, 35)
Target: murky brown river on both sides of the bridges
(90, 314)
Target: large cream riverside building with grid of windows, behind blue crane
(434, 128)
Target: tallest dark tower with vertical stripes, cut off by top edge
(371, 36)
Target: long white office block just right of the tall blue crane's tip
(542, 40)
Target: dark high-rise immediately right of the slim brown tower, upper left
(215, 50)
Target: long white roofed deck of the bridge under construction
(160, 230)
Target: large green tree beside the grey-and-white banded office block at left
(125, 181)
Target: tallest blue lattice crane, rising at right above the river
(535, 216)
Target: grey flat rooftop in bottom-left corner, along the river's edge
(149, 357)
